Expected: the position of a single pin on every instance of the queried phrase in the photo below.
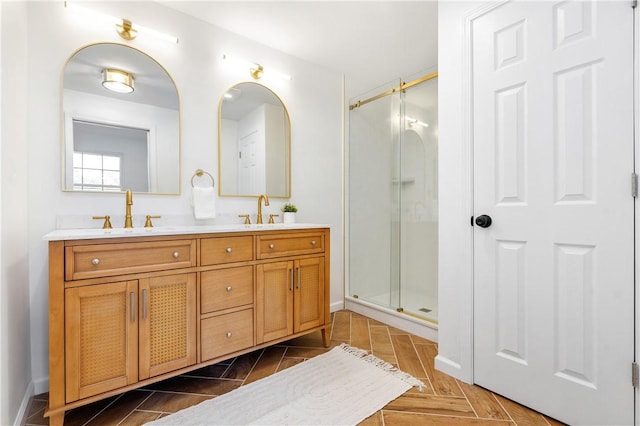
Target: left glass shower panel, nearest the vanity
(375, 198)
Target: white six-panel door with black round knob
(553, 157)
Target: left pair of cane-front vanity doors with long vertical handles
(119, 333)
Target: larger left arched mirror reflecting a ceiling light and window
(121, 115)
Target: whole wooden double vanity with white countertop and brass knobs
(132, 307)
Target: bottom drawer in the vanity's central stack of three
(226, 333)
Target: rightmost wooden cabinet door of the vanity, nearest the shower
(309, 294)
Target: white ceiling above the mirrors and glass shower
(371, 42)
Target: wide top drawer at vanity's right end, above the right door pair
(290, 244)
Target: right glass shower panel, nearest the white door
(418, 250)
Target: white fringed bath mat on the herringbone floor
(341, 387)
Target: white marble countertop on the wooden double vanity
(85, 234)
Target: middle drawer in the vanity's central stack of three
(226, 288)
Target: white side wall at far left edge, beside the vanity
(15, 356)
